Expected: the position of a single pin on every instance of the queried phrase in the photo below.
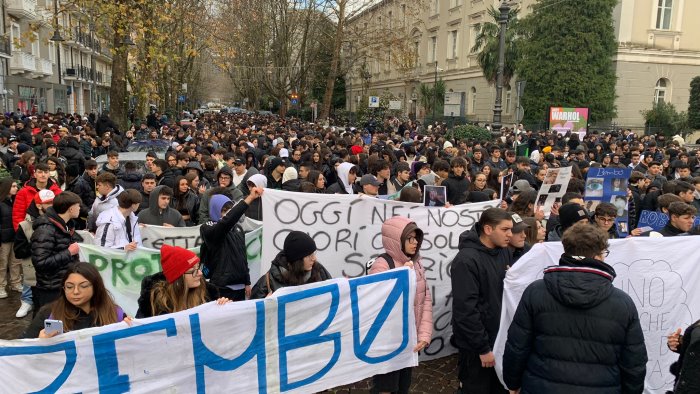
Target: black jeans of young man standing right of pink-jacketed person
(476, 379)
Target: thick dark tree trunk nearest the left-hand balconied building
(119, 97)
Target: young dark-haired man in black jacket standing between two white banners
(477, 274)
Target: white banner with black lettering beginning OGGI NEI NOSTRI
(347, 232)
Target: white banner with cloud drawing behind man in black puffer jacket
(659, 283)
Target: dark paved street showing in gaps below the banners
(432, 377)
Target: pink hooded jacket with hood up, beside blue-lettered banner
(394, 231)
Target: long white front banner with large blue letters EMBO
(301, 340)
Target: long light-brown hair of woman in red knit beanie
(175, 297)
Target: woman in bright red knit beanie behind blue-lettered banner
(180, 286)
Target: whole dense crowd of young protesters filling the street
(216, 168)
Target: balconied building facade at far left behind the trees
(46, 75)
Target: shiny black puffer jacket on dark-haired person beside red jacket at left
(50, 255)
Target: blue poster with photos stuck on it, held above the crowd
(609, 185)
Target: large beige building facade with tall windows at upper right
(657, 56)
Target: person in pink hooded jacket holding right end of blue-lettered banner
(402, 240)
